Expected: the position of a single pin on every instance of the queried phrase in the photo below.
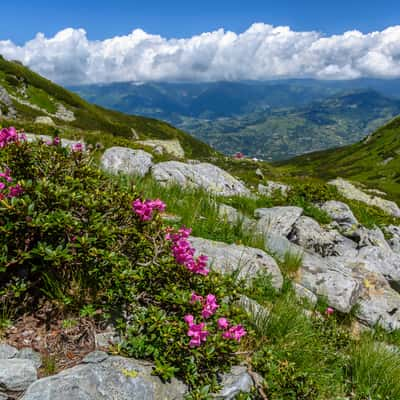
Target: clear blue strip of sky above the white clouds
(175, 18)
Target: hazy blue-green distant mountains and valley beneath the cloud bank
(268, 120)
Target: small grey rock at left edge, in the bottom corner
(16, 374)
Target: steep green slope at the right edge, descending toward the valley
(375, 161)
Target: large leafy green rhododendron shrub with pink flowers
(70, 236)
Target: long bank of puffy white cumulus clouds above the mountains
(261, 52)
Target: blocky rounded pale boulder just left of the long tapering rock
(128, 161)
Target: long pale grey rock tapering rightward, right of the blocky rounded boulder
(203, 175)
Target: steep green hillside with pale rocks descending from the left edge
(32, 96)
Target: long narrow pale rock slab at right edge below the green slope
(351, 192)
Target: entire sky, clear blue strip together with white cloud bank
(89, 41)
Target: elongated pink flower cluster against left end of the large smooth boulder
(183, 252)
